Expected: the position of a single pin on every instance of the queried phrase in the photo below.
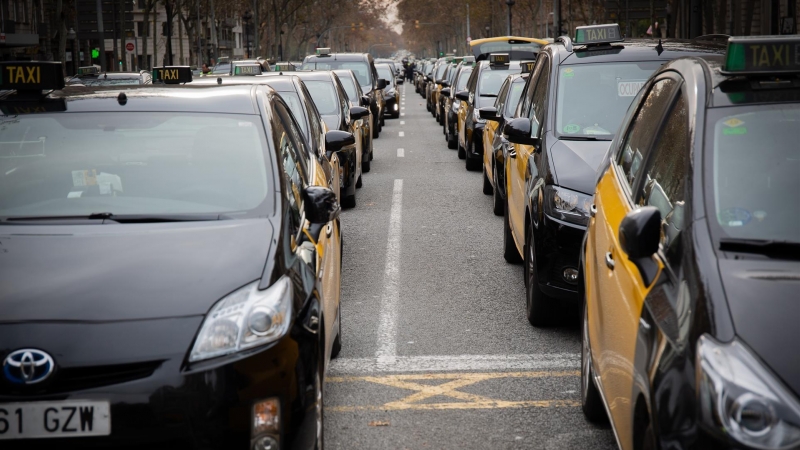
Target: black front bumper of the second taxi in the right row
(558, 248)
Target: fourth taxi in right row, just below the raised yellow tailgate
(482, 89)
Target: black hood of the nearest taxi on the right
(762, 297)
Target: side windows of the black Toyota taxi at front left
(292, 164)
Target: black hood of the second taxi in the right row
(576, 162)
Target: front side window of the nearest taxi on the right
(664, 184)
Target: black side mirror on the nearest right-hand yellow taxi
(639, 236)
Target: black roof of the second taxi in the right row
(636, 50)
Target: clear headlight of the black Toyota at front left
(244, 319)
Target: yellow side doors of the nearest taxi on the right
(619, 289)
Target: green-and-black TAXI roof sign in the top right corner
(762, 55)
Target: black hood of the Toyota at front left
(127, 271)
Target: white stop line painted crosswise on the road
(455, 363)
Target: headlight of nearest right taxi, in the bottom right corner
(740, 397)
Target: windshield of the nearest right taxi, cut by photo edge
(755, 168)
